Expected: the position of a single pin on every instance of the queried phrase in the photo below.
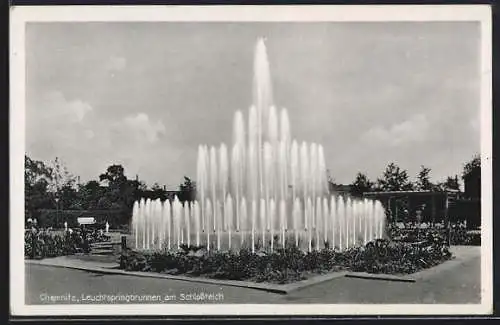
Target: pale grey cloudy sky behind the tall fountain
(144, 95)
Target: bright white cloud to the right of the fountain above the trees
(410, 131)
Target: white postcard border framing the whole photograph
(21, 15)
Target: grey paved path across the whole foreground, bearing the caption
(457, 284)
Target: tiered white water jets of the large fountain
(266, 191)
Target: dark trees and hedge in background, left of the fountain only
(52, 186)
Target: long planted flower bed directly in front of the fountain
(289, 264)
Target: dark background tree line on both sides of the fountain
(51, 186)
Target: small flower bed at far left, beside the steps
(44, 243)
